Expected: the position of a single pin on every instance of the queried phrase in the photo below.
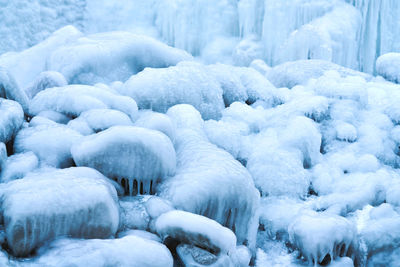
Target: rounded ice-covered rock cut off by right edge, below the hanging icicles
(388, 66)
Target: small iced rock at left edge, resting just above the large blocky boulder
(18, 165)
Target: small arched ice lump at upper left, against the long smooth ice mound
(46, 79)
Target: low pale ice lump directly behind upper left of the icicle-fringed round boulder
(96, 120)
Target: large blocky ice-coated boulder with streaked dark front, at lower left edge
(77, 202)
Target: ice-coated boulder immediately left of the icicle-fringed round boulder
(51, 144)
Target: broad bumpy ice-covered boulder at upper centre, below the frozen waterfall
(186, 83)
